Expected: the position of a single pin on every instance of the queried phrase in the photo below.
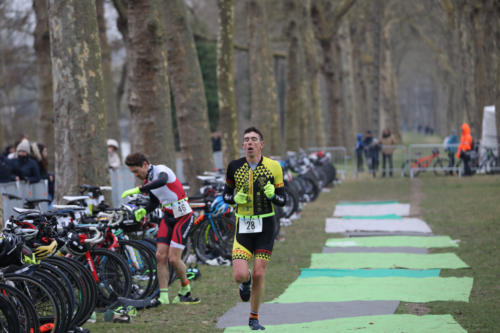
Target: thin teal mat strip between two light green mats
(326, 272)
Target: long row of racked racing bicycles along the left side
(58, 266)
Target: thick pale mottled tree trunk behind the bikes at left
(78, 96)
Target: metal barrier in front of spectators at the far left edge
(24, 190)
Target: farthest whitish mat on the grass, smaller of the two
(371, 210)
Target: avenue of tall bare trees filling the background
(309, 73)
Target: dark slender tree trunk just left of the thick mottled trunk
(44, 78)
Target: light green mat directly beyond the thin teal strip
(386, 260)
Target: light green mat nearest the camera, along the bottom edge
(369, 324)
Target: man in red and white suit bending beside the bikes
(166, 190)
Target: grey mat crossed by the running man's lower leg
(276, 314)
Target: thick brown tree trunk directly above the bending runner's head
(148, 91)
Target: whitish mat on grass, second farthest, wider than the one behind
(335, 225)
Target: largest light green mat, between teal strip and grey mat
(420, 290)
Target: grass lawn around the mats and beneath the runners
(465, 209)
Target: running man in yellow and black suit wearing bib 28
(254, 183)
